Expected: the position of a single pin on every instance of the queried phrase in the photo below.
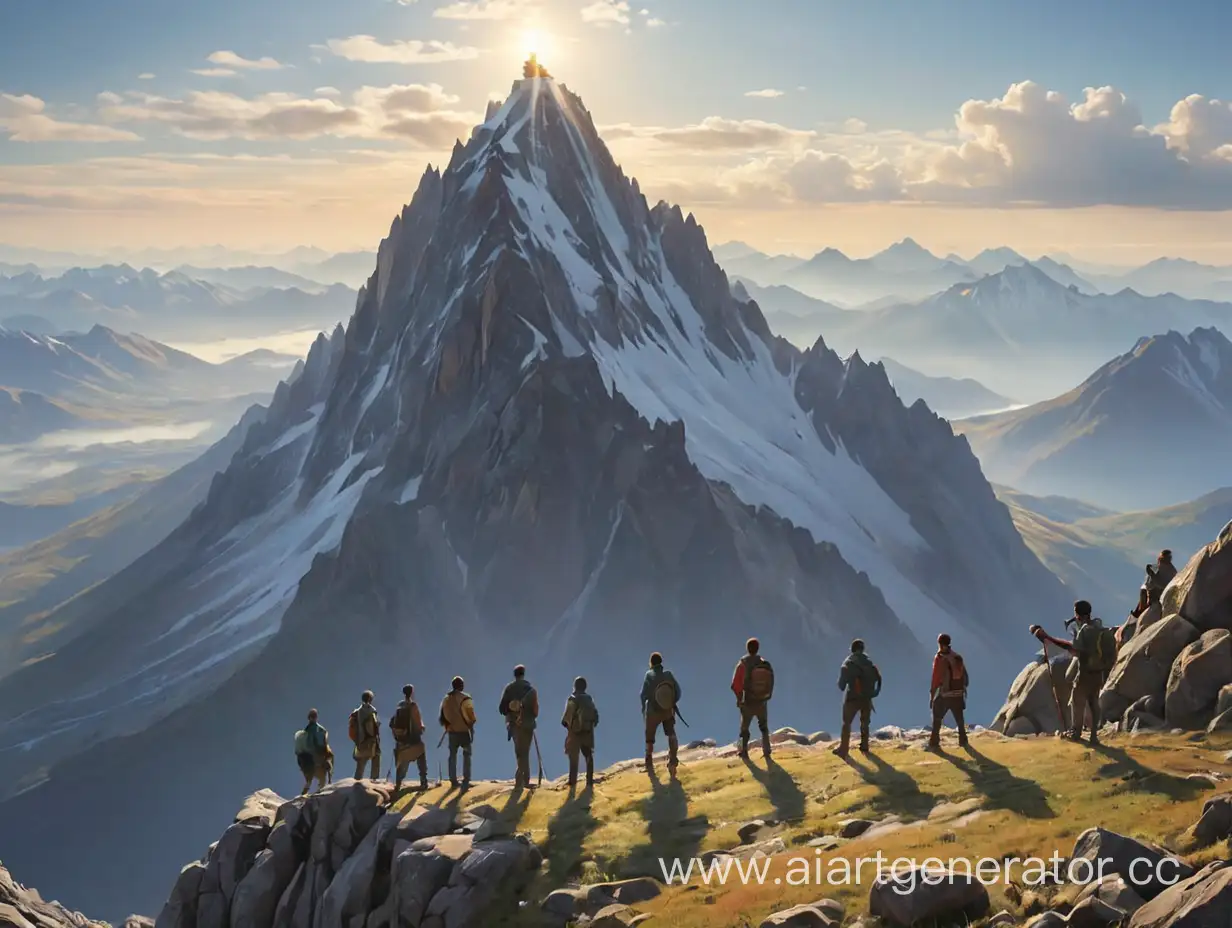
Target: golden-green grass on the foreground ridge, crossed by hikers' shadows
(1032, 798)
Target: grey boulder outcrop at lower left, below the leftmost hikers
(343, 860)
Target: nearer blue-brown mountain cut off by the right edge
(1151, 428)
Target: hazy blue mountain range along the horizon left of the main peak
(171, 306)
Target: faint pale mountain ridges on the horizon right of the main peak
(907, 272)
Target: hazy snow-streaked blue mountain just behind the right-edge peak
(1022, 333)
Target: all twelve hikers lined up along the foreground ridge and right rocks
(1093, 645)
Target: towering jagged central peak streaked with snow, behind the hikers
(549, 434)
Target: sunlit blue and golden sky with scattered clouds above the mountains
(1101, 130)
